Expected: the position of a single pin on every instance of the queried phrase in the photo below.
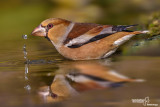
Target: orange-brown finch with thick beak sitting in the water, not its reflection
(84, 41)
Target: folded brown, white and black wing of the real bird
(83, 33)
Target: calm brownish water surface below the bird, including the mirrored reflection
(34, 74)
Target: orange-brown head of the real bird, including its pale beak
(53, 29)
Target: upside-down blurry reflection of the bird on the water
(75, 77)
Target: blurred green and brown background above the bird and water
(22, 16)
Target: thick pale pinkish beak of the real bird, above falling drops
(39, 31)
